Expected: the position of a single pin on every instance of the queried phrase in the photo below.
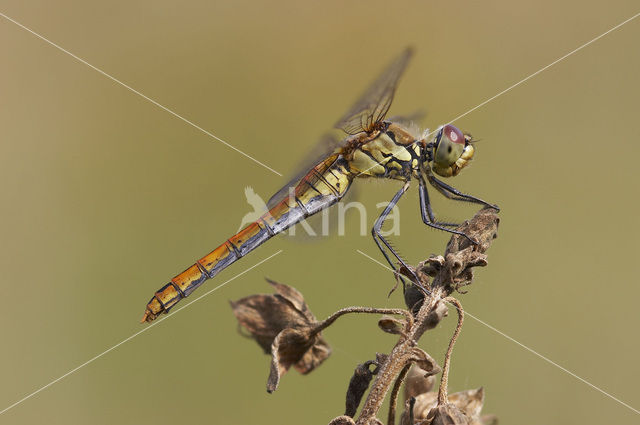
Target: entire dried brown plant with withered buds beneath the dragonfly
(283, 324)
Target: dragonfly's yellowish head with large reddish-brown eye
(452, 151)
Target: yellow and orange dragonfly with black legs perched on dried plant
(374, 147)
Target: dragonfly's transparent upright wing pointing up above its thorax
(374, 104)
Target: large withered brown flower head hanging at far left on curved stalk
(283, 325)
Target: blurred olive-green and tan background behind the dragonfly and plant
(105, 197)
